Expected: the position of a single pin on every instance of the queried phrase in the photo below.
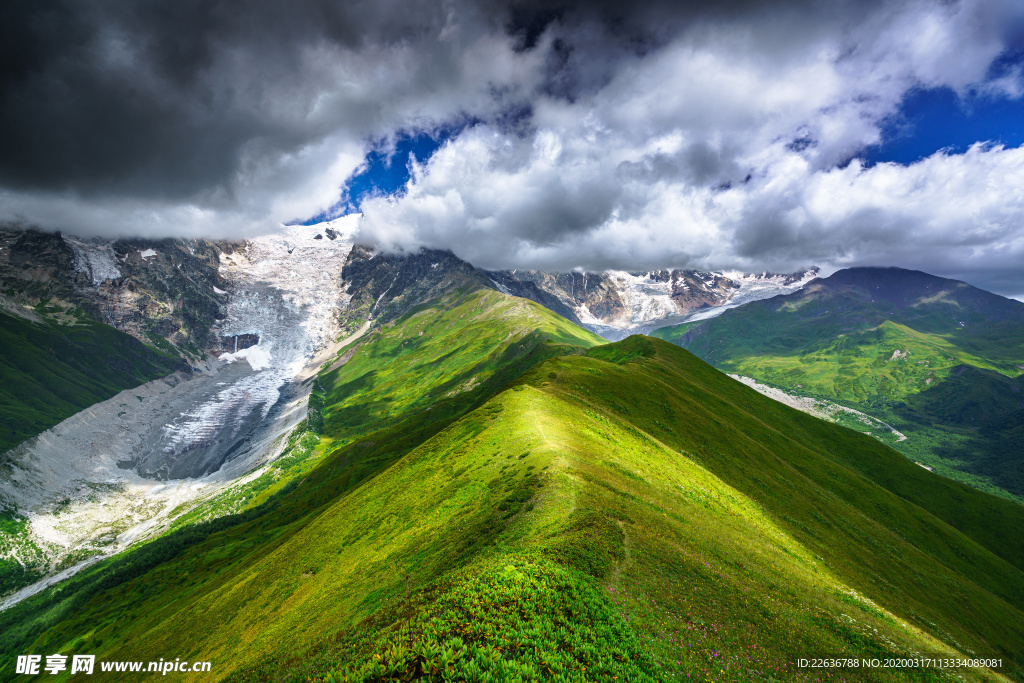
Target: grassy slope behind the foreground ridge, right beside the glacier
(408, 379)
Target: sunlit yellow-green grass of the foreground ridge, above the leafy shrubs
(333, 571)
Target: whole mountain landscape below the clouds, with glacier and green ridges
(403, 467)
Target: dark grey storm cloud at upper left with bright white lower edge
(228, 117)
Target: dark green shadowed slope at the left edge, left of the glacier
(50, 372)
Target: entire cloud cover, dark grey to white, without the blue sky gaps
(591, 135)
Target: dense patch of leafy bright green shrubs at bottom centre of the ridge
(526, 621)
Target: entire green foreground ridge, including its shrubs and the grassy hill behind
(496, 497)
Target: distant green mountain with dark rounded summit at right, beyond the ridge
(940, 360)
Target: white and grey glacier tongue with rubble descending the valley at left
(122, 471)
